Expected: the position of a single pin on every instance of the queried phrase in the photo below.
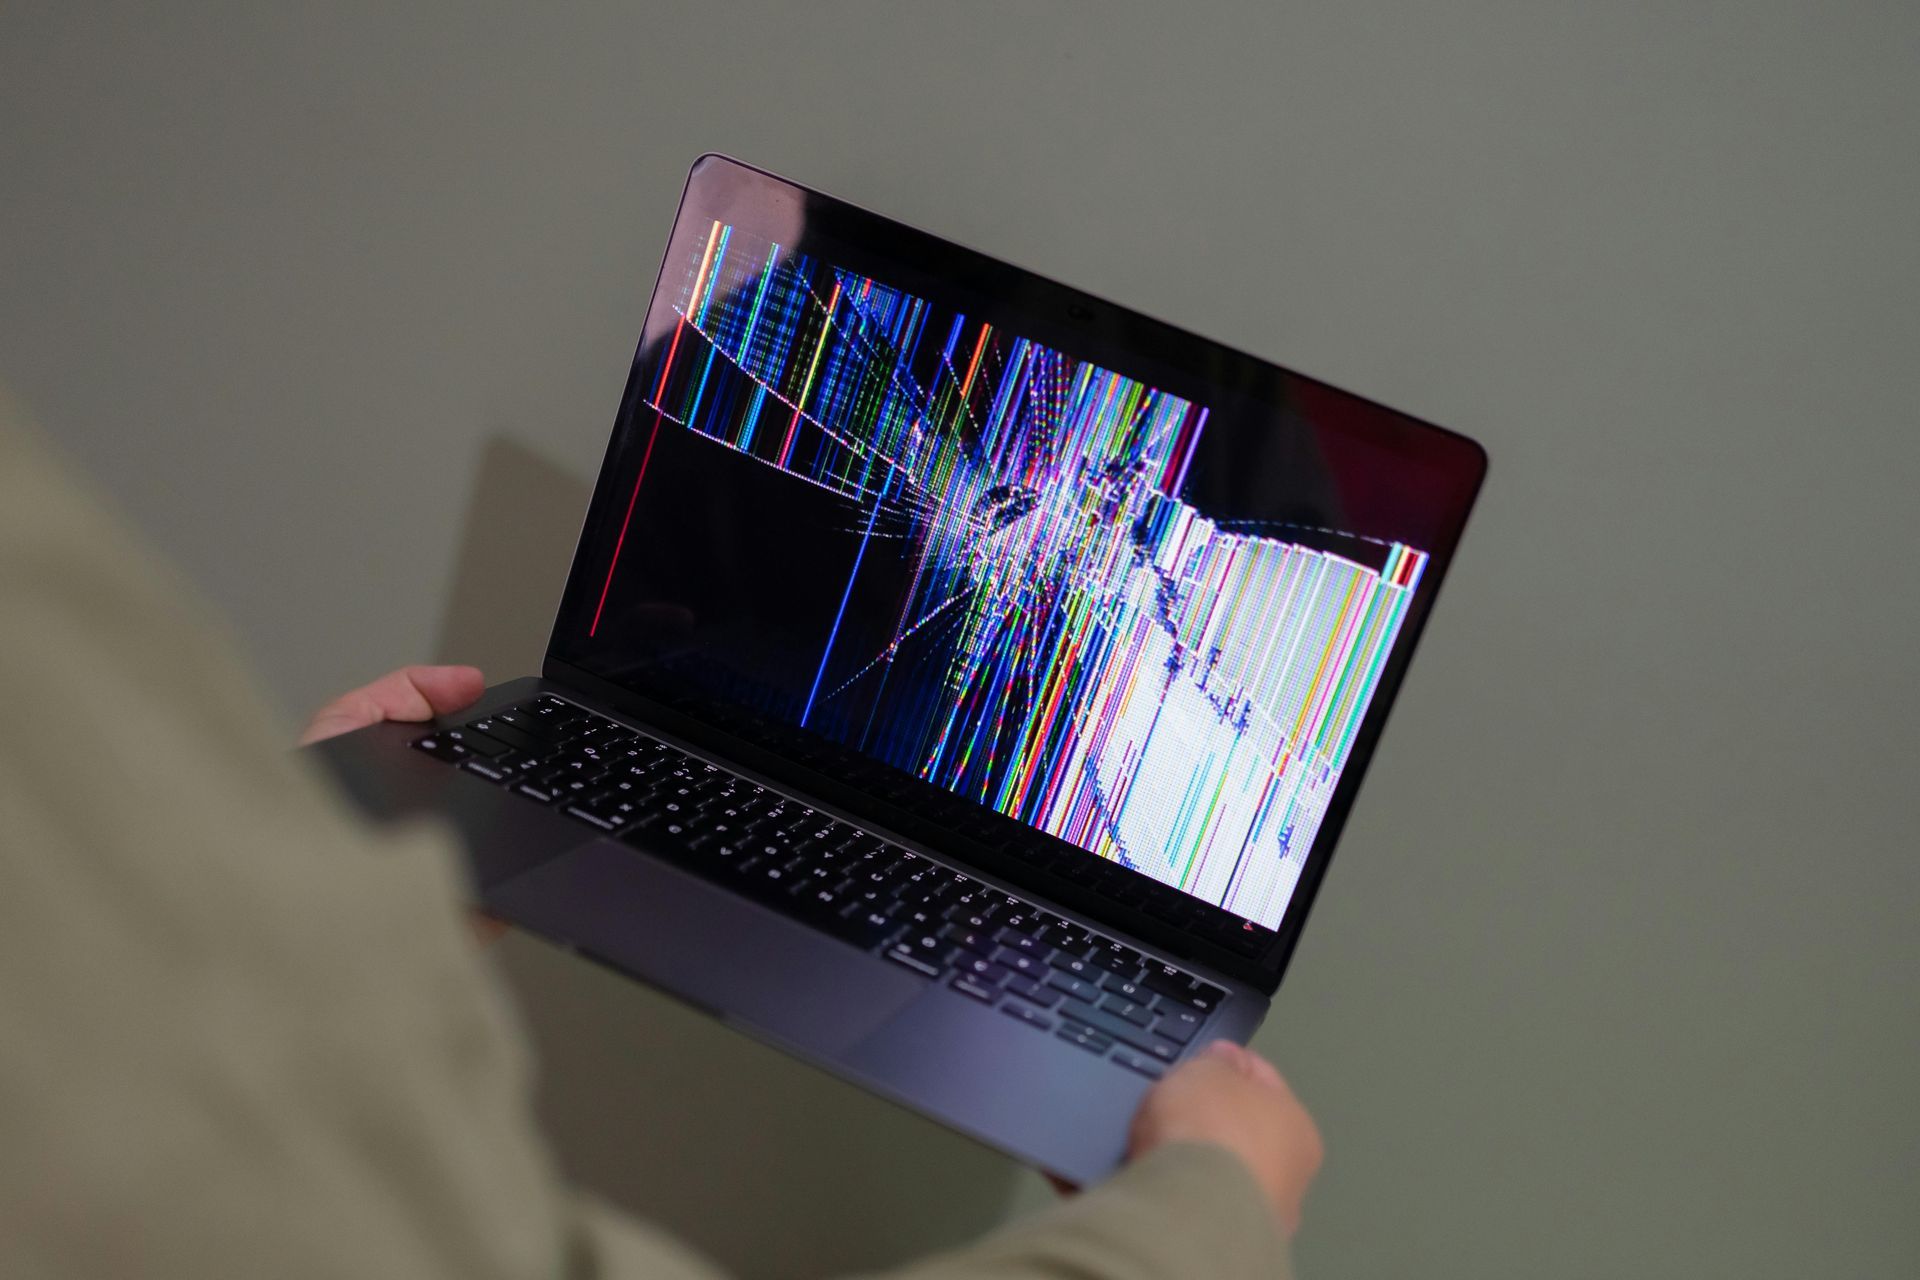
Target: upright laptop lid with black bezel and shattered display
(1076, 598)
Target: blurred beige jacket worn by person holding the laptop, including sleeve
(247, 1035)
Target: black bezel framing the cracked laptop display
(723, 189)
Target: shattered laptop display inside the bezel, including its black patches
(1019, 575)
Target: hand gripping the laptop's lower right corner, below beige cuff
(1236, 1099)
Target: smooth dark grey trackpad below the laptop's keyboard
(713, 949)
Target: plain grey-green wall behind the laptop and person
(1618, 968)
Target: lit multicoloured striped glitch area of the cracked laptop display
(1113, 667)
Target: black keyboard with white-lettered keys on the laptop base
(1038, 968)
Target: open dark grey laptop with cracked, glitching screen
(961, 680)
